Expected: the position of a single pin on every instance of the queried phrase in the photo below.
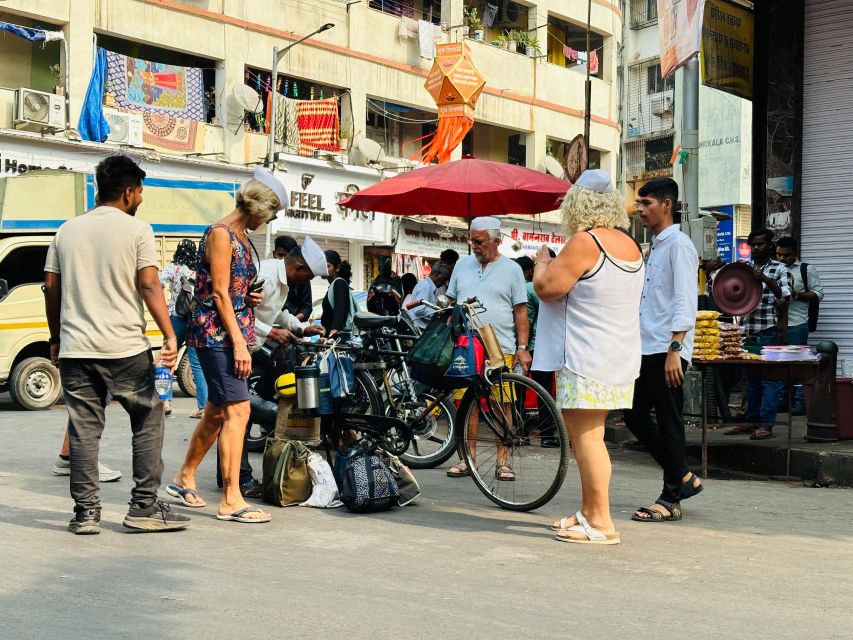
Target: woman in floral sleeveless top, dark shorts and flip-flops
(222, 329)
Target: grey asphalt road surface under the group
(751, 559)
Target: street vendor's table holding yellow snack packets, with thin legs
(792, 372)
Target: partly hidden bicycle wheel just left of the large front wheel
(433, 426)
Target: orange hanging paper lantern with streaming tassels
(455, 84)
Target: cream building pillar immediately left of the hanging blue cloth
(79, 33)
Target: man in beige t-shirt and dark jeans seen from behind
(100, 274)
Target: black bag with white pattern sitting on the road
(368, 485)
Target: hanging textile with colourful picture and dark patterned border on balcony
(155, 87)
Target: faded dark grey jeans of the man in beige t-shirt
(130, 381)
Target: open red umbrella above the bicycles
(466, 188)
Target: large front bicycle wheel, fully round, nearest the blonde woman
(505, 424)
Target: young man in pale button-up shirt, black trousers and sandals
(667, 319)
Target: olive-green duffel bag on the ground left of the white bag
(286, 481)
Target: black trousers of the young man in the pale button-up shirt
(663, 438)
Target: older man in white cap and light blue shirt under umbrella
(498, 283)
